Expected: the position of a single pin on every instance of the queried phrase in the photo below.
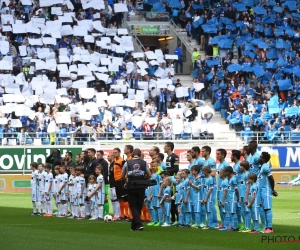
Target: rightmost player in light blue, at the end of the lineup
(266, 188)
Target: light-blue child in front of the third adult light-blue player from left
(222, 201)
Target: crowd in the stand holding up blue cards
(251, 69)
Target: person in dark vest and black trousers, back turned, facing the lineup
(137, 173)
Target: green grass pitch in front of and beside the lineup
(19, 230)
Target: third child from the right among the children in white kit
(80, 192)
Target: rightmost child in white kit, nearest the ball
(100, 191)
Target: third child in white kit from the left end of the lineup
(49, 187)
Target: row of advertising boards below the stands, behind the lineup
(19, 159)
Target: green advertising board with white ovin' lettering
(19, 159)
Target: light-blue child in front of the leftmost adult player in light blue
(196, 194)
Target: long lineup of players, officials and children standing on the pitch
(186, 198)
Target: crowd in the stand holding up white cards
(69, 75)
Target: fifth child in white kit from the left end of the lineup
(63, 184)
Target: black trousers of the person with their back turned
(136, 201)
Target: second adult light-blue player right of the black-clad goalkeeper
(210, 162)
